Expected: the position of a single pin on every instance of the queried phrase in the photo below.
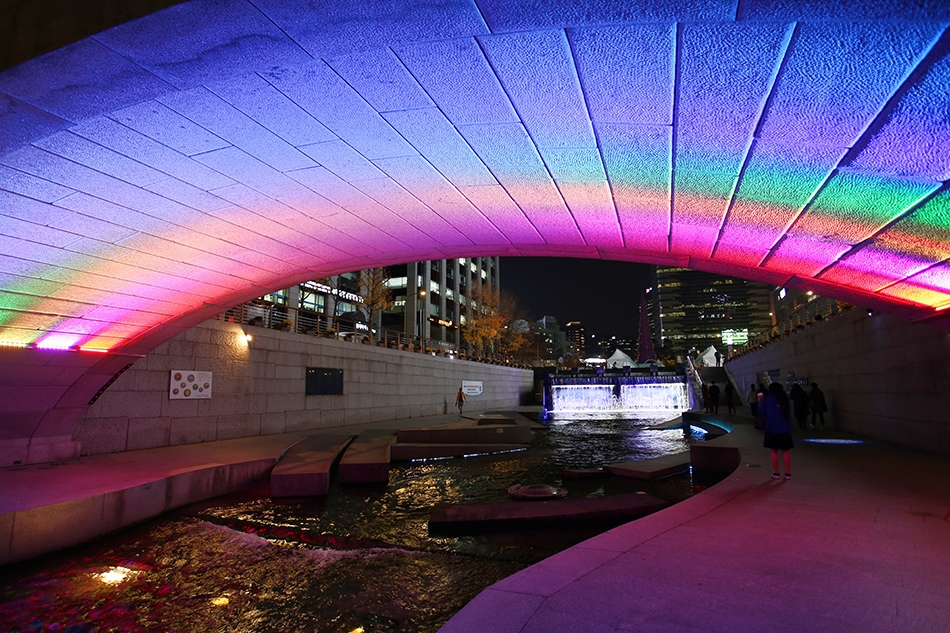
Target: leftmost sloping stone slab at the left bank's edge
(304, 470)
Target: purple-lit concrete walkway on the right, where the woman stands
(858, 540)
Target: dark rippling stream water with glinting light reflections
(361, 558)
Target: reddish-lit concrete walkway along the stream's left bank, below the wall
(48, 507)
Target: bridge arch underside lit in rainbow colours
(163, 170)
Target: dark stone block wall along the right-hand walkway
(883, 378)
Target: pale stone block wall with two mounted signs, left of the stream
(258, 388)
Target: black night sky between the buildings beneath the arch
(604, 296)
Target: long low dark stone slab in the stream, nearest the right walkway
(453, 517)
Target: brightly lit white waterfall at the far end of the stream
(611, 395)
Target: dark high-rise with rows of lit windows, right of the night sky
(697, 309)
